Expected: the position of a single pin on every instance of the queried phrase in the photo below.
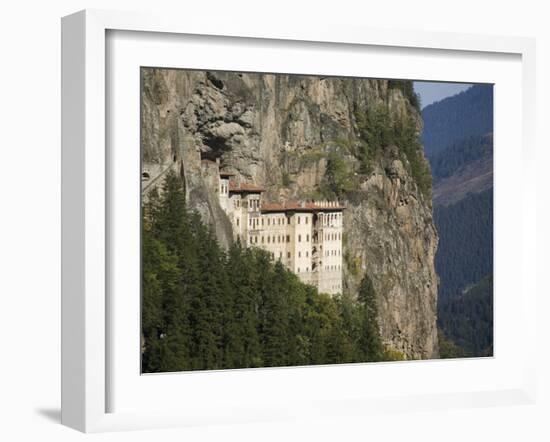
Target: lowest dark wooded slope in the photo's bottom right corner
(467, 320)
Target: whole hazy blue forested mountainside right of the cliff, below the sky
(458, 138)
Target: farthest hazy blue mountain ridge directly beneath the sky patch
(469, 113)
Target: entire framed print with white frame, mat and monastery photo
(277, 223)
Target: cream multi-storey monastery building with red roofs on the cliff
(305, 236)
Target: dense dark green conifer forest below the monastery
(206, 308)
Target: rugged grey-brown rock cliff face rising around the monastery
(281, 131)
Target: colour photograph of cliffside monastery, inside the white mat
(301, 219)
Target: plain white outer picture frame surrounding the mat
(86, 315)
